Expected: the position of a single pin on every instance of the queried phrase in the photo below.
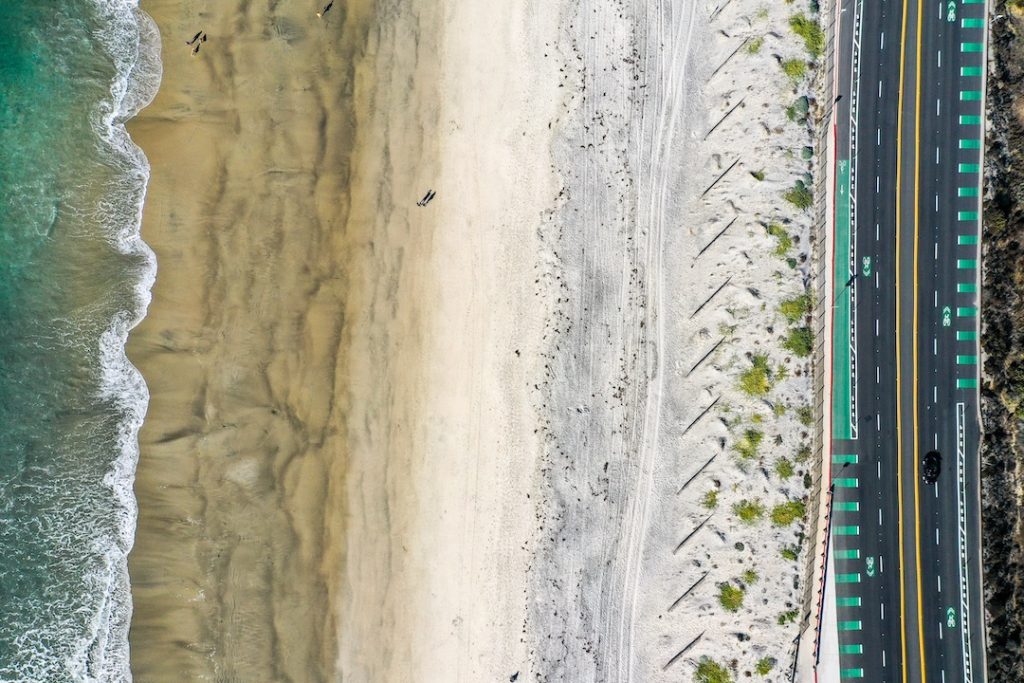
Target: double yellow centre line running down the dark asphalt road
(900, 394)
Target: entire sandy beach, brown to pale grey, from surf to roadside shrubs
(389, 443)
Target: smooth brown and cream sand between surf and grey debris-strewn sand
(330, 373)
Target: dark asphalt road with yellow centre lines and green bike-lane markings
(907, 281)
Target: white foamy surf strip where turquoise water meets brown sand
(133, 39)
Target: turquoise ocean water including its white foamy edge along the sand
(74, 279)
